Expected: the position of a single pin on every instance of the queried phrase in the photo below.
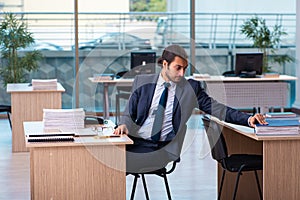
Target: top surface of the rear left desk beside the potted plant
(24, 87)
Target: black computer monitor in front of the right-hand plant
(248, 64)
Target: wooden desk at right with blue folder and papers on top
(280, 176)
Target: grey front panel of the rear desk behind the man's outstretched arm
(249, 94)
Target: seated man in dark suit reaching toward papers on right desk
(183, 96)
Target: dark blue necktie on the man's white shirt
(160, 112)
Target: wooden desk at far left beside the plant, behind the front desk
(27, 105)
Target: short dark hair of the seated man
(170, 52)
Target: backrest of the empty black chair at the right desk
(216, 139)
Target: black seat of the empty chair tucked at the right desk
(251, 162)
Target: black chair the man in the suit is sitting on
(163, 172)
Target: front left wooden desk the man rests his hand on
(88, 168)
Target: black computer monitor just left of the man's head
(143, 63)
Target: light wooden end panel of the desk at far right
(281, 169)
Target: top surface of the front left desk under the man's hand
(37, 127)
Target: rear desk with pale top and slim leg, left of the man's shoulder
(106, 84)
